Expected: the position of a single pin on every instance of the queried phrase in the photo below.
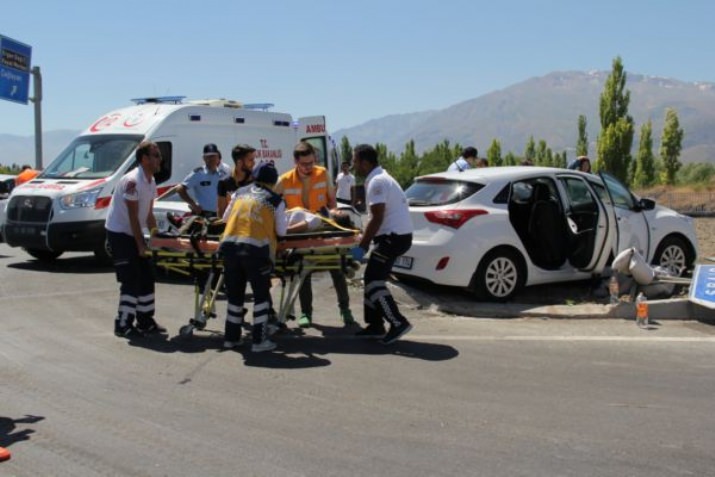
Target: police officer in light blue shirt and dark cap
(203, 182)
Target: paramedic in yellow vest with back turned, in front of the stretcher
(254, 219)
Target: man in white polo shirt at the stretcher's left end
(129, 212)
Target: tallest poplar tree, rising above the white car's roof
(617, 127)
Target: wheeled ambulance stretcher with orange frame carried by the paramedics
(297, 256)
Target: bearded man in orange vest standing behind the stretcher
(308, 186)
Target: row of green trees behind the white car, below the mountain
(613, 147)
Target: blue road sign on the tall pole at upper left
(14, 70)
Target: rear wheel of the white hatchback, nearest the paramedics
(500, 276)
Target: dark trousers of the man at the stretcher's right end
(378, 301)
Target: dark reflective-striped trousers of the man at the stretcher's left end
(135, 275)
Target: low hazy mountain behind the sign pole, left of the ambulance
(21, 149)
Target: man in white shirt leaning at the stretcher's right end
(389, 227)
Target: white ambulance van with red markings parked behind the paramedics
(64, 208)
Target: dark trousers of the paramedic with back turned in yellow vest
(241, 268)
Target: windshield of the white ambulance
(92, 157)
